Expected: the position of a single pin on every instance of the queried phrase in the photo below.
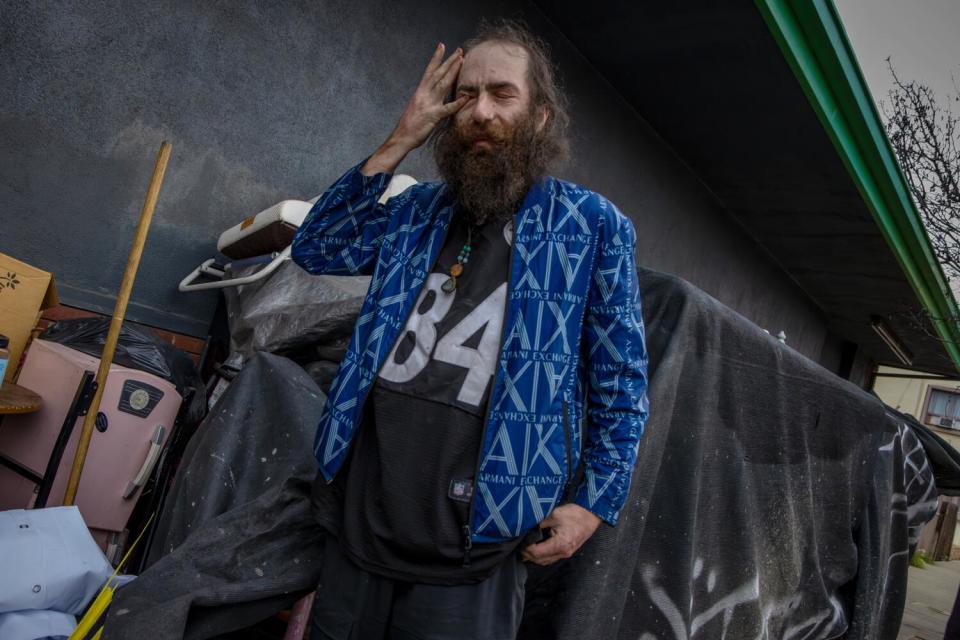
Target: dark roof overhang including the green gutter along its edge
(764, 102)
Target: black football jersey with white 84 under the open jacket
(410, 478)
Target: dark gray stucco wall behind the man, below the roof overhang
(268, 101)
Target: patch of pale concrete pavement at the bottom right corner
(930, 595)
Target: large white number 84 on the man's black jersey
(479, 362)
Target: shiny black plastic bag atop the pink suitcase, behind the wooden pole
(137, 348)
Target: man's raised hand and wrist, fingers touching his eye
(425, 110)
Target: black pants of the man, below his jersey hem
(352, 604)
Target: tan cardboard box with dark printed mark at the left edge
(25, 291)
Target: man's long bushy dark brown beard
(490, 184)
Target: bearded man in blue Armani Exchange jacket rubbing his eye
(489, 406)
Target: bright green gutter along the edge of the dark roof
(812, 39)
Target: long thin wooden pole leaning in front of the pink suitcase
(109, 347)
